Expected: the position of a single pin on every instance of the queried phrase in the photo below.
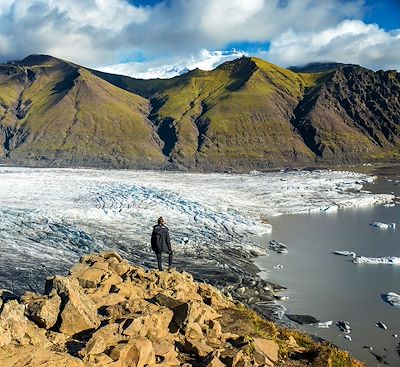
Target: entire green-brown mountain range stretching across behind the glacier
(245, 114)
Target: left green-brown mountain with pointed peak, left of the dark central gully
(54, 111)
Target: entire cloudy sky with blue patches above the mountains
(163, 38)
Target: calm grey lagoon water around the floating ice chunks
(331, 287)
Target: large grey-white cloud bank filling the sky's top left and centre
(99, 32)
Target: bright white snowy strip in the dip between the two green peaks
(205, 60)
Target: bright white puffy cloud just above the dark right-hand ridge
(351, 41)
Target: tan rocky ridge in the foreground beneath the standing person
(109, 313)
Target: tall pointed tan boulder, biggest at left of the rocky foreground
(78, 311)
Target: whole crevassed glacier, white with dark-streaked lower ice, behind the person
(51, 216)
